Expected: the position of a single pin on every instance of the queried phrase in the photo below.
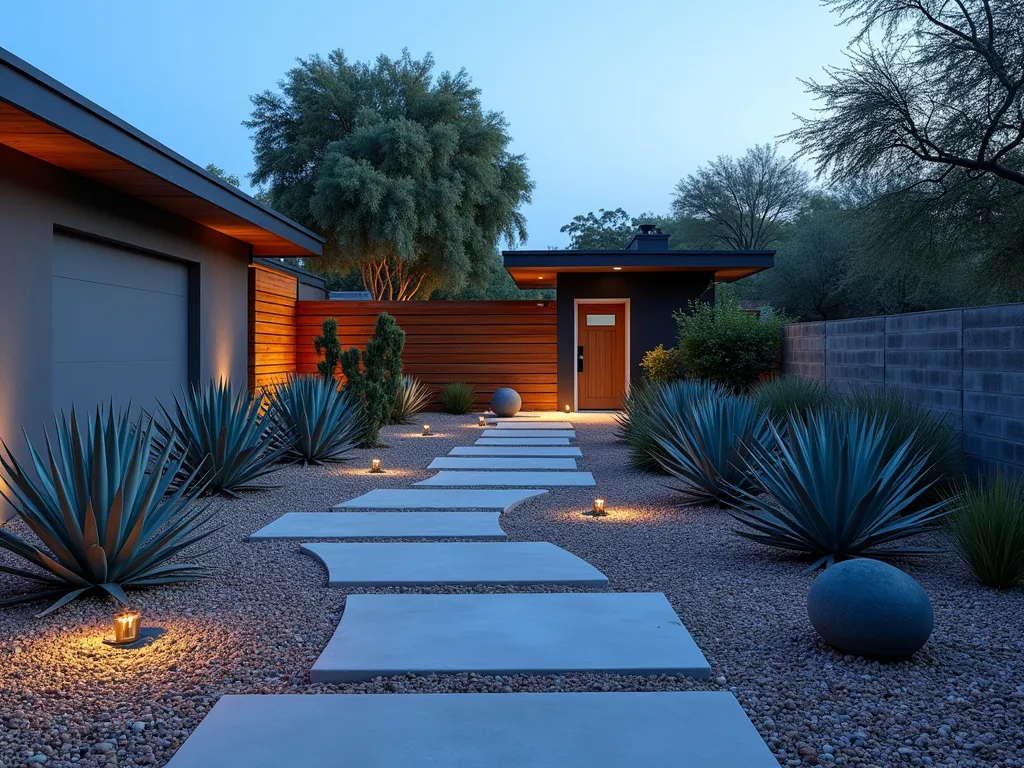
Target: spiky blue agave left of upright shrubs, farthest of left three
(321, 422)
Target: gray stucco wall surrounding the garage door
(35, 198)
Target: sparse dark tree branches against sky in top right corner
(932, 89)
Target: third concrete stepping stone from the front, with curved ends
(414, 565)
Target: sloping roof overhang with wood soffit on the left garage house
(46, 119)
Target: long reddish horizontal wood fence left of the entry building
(488, 345)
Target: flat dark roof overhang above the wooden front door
(541, 269)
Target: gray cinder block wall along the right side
(966, 366)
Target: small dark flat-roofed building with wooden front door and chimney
(616, 306)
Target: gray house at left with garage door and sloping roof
(125, 268)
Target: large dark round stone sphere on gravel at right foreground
(870, 609)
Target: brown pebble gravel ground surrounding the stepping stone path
(259, 625)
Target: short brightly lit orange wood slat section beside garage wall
(273, 313)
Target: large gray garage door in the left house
(120, 325)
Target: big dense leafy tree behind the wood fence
(405, 174)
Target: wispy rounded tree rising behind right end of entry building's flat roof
(745, 202)
